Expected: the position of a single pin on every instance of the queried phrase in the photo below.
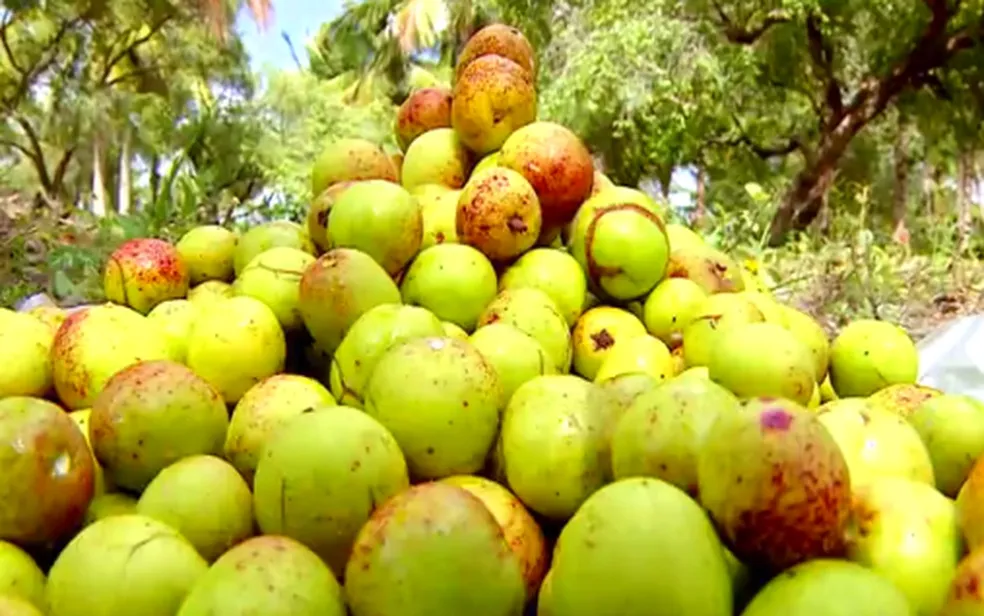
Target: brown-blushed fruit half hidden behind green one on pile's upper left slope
(350, 160)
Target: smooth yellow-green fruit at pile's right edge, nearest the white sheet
(869, 355)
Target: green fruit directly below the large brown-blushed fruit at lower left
(203, 498)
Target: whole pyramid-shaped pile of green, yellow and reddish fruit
(482, 381)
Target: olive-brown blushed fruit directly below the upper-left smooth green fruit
(351, 283)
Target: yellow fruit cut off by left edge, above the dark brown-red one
(25, 354)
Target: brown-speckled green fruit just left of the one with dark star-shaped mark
(536, 315)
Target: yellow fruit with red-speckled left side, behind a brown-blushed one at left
(95, 343)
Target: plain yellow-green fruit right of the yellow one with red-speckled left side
(236, 343)
